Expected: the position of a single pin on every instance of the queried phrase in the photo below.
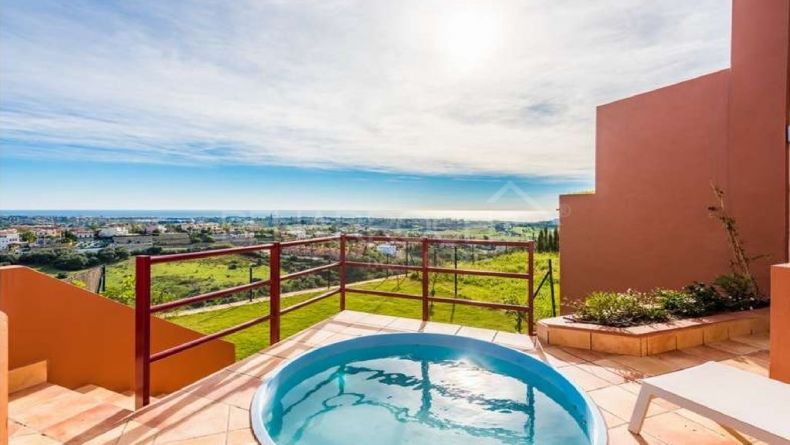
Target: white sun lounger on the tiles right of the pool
(735, 399)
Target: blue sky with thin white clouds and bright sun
(402, 105)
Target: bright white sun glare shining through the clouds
(468, 37)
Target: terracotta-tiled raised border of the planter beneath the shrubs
(653, 338)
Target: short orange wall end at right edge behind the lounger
(780, 319)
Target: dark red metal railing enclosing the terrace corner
(144, 310)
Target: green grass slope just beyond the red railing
(470, 287)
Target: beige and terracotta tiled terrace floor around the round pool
(215, 409)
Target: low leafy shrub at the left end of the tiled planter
(620, 309)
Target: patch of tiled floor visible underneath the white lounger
(675, 429)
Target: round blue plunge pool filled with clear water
(422, 389)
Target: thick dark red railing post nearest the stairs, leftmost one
(142, 331)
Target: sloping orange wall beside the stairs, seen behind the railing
(89, 339)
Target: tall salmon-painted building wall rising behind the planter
(657, 153)
